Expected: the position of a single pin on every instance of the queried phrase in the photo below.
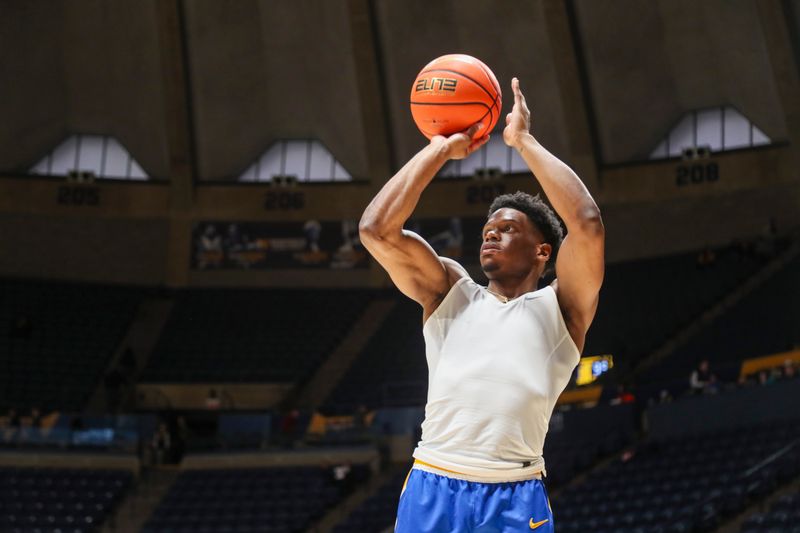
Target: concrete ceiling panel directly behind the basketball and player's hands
(510, 36)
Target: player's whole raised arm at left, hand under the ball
(410, 261)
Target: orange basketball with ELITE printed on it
(452, 93)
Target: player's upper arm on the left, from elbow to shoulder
(412, 264)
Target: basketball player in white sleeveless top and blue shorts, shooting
(498, 356)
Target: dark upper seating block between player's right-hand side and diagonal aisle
(644, 302)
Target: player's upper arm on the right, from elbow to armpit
(580, 267)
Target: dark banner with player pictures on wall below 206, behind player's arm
(318, 244)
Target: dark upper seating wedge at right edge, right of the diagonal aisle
(764, 322)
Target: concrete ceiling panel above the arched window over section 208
(648, 63)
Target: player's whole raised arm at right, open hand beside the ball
(580, 261)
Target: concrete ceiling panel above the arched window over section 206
(267, 70)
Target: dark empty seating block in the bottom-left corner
(45, 499)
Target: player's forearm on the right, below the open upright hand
(565, 190)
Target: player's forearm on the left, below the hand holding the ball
(396, 201)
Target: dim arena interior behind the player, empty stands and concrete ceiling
(193, 339)
